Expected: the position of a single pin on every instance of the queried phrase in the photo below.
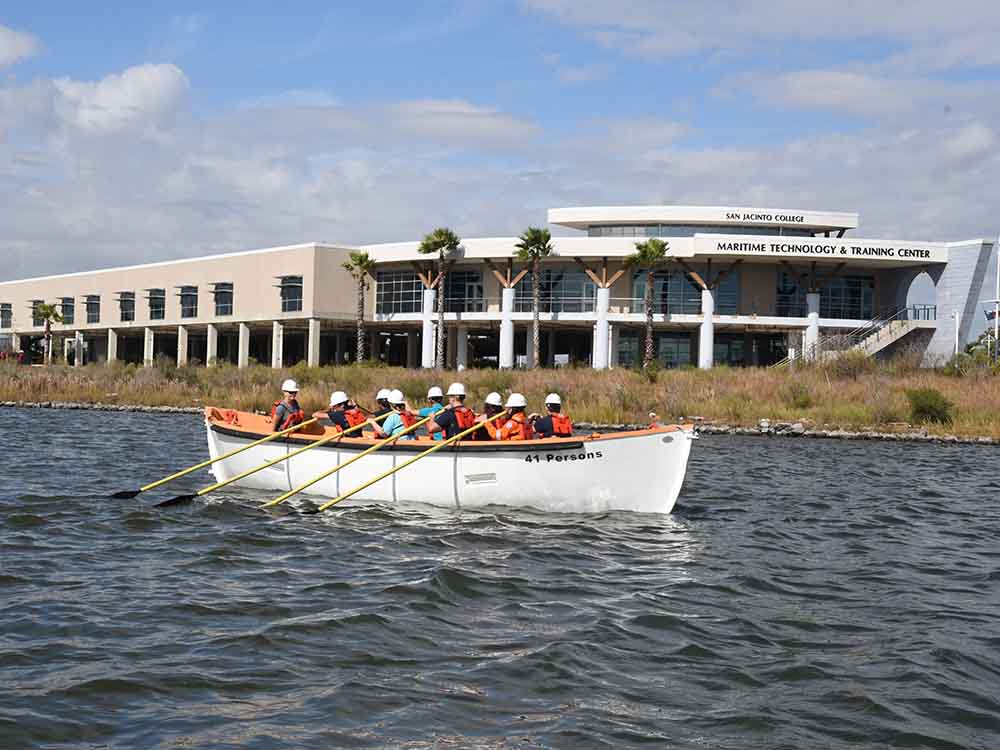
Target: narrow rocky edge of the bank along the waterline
(765, 427)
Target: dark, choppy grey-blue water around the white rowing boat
(805, 594)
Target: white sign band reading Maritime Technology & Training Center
(822, 249)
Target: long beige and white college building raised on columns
(740, 286)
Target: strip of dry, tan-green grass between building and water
(858, 395)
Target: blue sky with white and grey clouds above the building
(132, 132)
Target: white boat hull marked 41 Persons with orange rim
(641, 471)
